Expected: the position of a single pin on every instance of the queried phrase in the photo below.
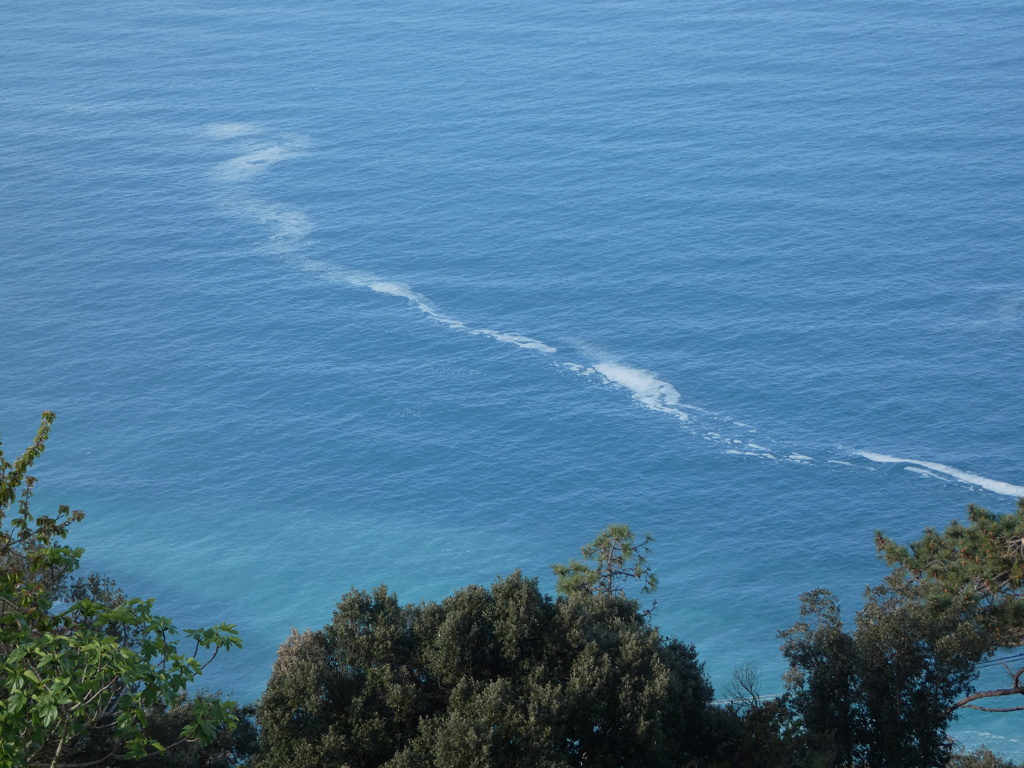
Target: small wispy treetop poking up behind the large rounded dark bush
(610, 563)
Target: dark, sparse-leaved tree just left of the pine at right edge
(883, 695)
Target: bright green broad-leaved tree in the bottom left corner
(91, 671)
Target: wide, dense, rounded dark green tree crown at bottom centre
(499, 676)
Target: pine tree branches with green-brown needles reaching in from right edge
(978, 568)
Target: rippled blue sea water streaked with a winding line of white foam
(333, 294)
